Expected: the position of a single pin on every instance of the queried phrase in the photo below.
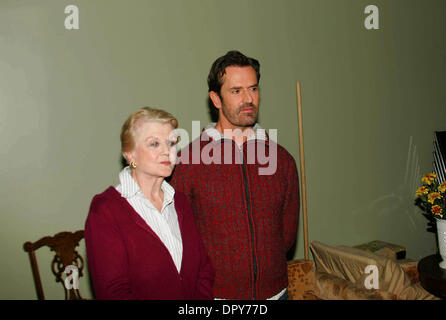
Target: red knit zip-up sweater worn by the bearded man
(247, 221)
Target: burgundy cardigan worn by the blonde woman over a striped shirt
(127, 260)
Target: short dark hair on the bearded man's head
(231, 58)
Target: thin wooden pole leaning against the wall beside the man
(302, 170)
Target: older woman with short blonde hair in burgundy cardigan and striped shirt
(141, 238)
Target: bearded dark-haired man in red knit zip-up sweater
(247, 217)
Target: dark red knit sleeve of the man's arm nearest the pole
(291, 206)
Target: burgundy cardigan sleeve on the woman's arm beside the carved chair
(106, 254)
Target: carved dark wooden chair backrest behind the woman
(66, 259)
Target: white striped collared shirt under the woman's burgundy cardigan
(164, 224)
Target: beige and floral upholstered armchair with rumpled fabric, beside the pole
(338, 273)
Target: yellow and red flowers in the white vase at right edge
(431, 197)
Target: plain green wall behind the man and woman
(371, 101)
